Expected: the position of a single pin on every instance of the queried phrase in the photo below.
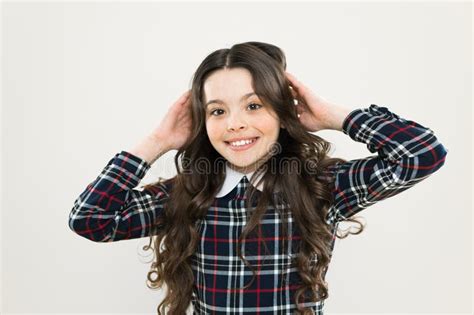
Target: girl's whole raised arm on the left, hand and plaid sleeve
(111, 208)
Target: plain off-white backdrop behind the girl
(82, 81)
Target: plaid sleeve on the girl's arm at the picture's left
(111, 209)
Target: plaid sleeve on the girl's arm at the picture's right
(407, 153)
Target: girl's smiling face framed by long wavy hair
(234, 113)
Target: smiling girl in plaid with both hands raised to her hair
(248, 224)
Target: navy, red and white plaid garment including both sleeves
(111, 209)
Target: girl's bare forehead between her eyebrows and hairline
(228, 84)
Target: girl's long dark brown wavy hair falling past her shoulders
(194, 187)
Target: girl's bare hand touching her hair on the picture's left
(175, 128)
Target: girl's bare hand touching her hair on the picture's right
(313, 110)
